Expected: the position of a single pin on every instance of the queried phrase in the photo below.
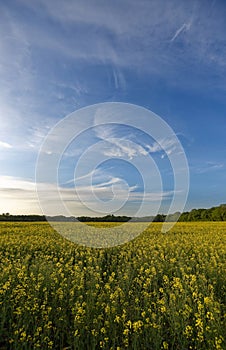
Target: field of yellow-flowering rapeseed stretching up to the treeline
(159, 291)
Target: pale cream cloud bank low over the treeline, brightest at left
(19, 196)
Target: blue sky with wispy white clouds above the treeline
(57, 58)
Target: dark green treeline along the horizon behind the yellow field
(212, 214)
